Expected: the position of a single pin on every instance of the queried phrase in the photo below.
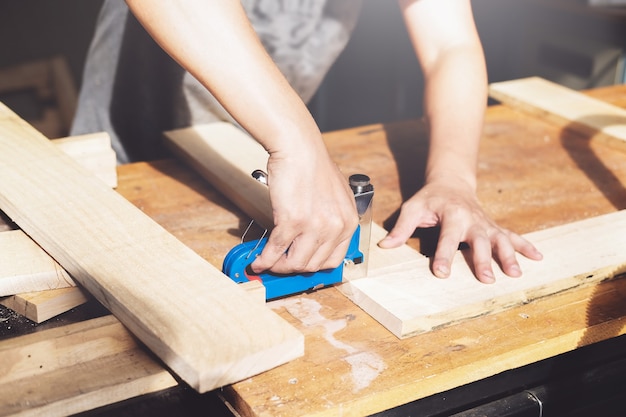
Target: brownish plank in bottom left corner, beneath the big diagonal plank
(75, 368)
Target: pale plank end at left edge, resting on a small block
(25, 267)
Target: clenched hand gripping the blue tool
(314, 213)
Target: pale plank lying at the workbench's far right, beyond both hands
(551, 101)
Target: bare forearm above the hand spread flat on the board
(455, 84)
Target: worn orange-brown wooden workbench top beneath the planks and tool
(532, 175)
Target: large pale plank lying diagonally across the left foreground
(199, 322)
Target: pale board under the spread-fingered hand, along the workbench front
(410, 300)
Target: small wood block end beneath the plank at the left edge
(40, 306)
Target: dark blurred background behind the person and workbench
(377, 78)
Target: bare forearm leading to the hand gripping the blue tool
(215, 42)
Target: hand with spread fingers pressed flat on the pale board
(453, 205)
